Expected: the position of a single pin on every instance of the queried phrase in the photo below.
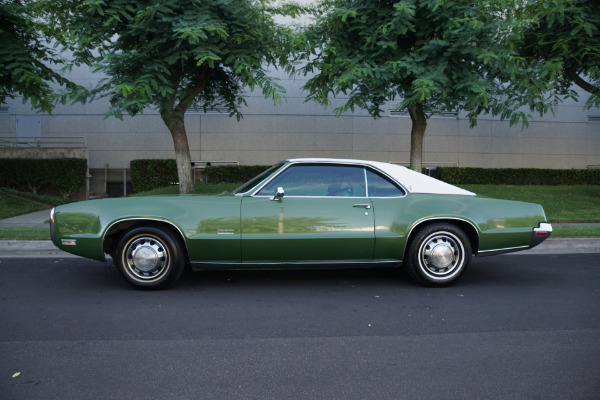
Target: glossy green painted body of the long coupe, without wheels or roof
(250, 228)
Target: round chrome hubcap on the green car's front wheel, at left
(146, 258)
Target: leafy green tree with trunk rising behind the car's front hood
(175, 54)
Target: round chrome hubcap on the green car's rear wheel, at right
(441, 255)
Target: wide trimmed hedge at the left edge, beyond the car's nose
(64, 175)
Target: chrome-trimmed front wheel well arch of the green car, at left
(117, 229)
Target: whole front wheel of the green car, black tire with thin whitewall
(149, 258)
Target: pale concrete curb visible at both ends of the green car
(46, 249)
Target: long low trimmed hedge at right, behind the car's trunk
(518, 176)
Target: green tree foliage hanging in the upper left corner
(26, 57)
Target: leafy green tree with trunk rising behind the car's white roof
(429, 55)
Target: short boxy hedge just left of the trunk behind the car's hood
(151, 174)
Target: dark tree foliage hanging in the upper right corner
(565, 34)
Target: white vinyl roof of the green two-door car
(413, 181)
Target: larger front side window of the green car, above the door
(319, 181)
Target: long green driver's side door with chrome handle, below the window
(297, 229)
